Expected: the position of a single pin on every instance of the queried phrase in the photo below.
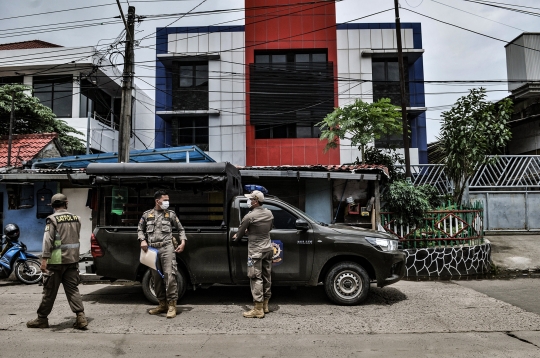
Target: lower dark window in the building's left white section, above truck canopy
(191, 131)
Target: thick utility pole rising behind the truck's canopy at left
(124, 135)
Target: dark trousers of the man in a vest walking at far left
(68, 276)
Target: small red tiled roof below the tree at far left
(23, 147)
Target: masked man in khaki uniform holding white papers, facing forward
(155, 230)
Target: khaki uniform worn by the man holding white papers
(156, 226)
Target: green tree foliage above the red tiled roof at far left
(33, 117)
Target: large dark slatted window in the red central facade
(290, 91)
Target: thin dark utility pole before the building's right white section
(402, 84)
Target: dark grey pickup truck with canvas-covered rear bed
(208, 199)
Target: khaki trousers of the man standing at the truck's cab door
(259, 273)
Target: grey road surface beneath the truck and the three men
(409, 319)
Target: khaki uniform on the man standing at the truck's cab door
(259, 222)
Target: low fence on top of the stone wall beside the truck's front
(446, 226)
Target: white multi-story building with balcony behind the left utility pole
(75, 81)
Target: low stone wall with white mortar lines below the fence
(452, 261)
